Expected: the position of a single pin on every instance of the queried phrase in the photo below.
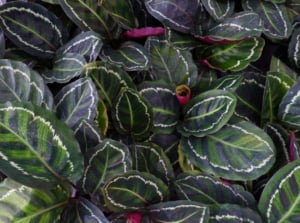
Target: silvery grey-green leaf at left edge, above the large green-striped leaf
(20, 83)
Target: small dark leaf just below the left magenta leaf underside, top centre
(131, 56)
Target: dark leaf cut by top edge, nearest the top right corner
(276, 22)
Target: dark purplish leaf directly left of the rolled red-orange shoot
(165, 106)
